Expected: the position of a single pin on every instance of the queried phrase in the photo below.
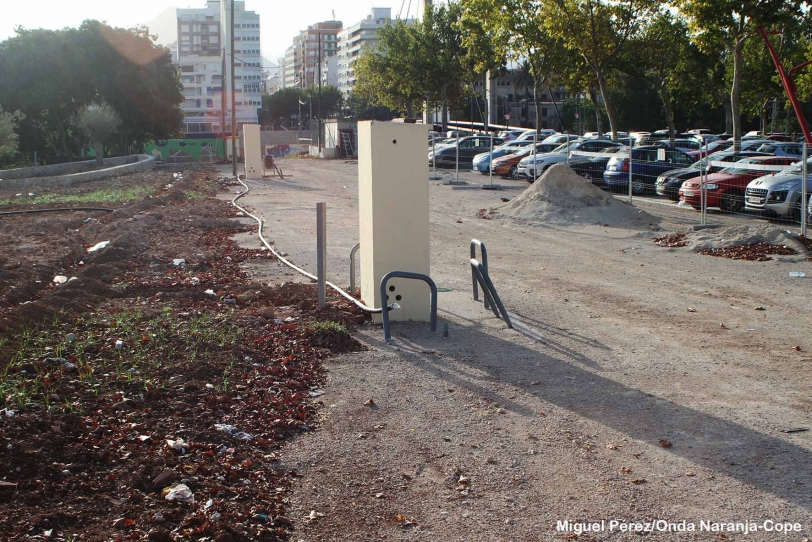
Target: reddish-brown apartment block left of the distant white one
(301, 66)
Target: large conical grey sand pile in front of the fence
(562, 196)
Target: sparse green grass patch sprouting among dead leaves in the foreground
(152, 345)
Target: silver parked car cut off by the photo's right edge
(778, 194)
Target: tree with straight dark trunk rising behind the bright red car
(729, 23)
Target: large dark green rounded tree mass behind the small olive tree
(50, 75)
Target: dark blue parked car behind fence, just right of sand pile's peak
(648, 163)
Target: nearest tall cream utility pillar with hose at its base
(393, 203)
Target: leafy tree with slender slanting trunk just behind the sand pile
(599, 31)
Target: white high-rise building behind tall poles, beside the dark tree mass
(204, 40)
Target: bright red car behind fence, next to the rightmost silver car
(725, 189)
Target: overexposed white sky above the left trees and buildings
(280, 20)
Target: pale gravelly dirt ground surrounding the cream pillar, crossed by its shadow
(640, 383)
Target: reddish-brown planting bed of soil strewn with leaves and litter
(146, 386)
